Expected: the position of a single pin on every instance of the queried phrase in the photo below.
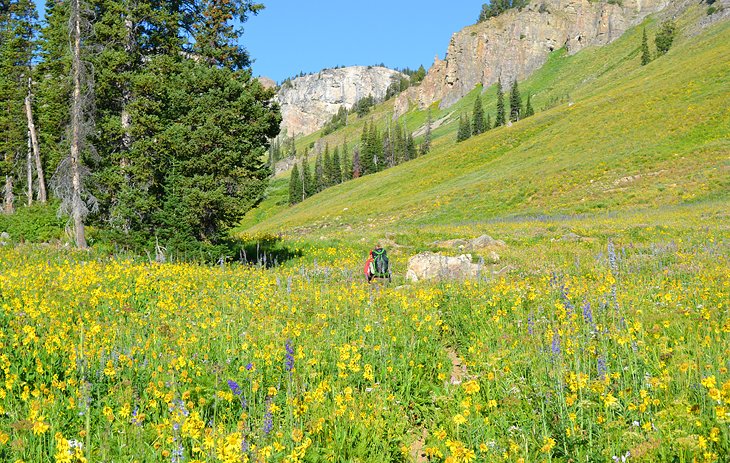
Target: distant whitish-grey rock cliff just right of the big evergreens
(308, 102)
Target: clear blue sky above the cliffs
(290, 36)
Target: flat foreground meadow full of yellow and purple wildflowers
(601, 350)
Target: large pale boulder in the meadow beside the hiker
(430, 266)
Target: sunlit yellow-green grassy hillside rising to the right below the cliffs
(609, 135)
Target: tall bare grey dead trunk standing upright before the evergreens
(77, 206)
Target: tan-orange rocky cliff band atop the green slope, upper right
(516, 43)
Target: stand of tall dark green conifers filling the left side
(144, 114)
